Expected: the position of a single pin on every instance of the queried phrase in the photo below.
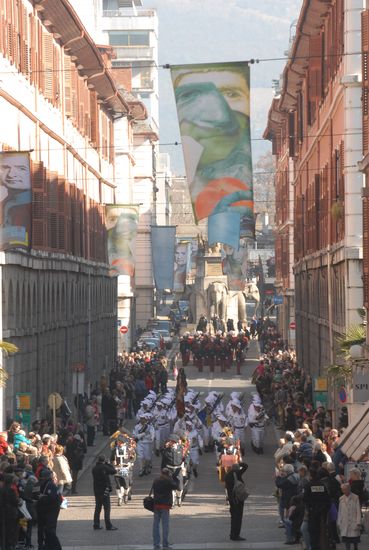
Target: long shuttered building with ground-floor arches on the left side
(59, 103)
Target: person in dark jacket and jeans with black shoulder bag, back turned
(162, 489)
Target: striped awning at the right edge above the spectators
(355, 439)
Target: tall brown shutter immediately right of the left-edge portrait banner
(38, 205)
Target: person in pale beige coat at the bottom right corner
(349, 517)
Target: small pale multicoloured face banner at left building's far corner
(121, 222)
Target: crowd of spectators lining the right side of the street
(319, 499)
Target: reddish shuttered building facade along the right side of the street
(317, 123)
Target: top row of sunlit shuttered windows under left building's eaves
(31, 49)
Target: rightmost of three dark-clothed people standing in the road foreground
(236, 495)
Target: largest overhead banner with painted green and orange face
(213, 106)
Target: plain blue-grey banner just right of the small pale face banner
(163, 245)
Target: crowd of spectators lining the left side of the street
(40, 468)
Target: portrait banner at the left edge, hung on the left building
(15, 200)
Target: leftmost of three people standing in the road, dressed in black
(102, 489)
